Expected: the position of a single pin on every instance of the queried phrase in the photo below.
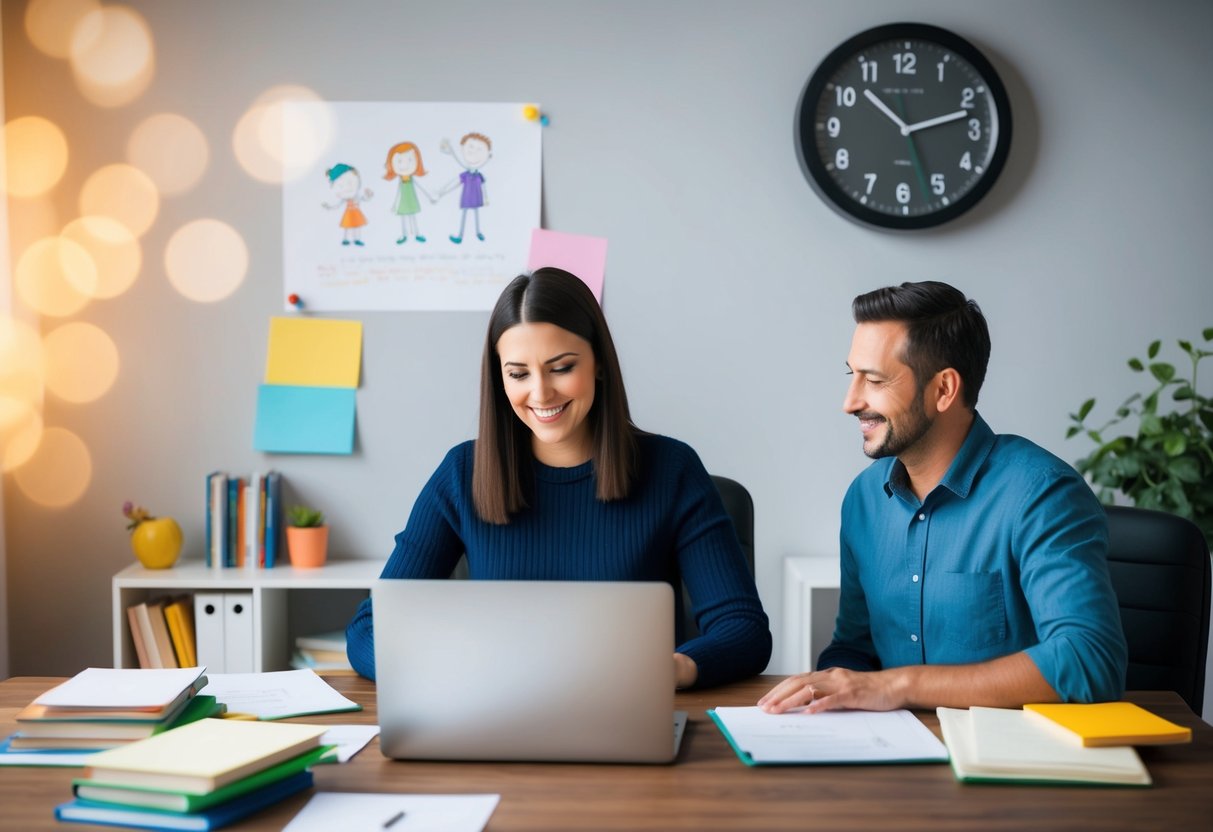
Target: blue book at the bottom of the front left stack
(107, 814)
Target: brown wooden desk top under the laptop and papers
(709, 789)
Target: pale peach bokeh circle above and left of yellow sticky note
(207, 260)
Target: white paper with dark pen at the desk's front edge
(400, 813)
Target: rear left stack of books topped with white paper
(105, 709)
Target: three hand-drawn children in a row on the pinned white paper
(405, 166)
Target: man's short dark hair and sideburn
(944, 328)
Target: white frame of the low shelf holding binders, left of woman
(270, 597)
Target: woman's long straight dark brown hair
(502, 468)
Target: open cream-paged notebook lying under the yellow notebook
(1010, 745)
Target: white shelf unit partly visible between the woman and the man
(811, 606)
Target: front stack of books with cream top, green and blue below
(202, 777)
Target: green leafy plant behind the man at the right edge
(1169, 464)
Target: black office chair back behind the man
(1160, 568)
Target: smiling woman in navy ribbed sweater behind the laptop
(561, 486)
